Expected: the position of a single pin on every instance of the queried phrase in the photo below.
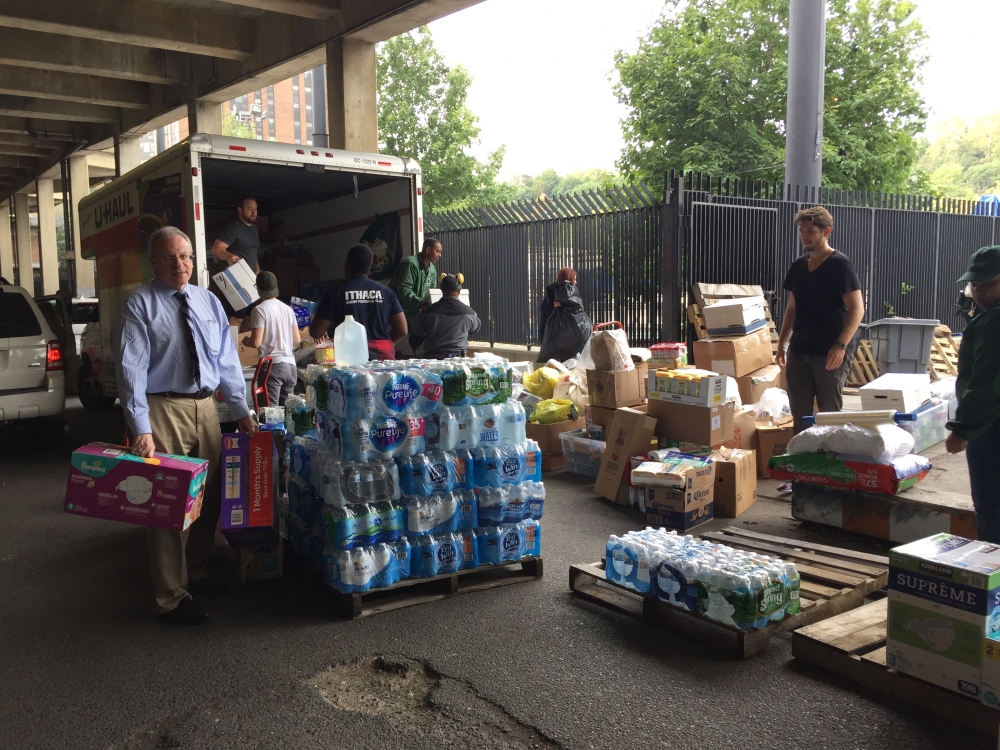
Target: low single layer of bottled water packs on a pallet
(743, 589)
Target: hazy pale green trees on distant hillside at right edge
(963, 160)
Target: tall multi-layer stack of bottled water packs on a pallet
(410, 469)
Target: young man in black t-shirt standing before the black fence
(825, 308)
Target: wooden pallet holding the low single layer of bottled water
(834, 580)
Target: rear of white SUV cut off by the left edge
(32, 381)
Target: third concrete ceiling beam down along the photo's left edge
(73, 87)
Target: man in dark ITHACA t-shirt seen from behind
(373, 305)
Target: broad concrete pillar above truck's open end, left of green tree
(350, 87)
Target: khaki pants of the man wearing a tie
(185, 427)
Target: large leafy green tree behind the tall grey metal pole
(706, 90)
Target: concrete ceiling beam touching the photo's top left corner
(145, 24)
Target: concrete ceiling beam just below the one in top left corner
(33, 49)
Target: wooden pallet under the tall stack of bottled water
(422, 590)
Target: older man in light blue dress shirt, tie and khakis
(173, 349)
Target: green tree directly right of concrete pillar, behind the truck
(422, 114)
